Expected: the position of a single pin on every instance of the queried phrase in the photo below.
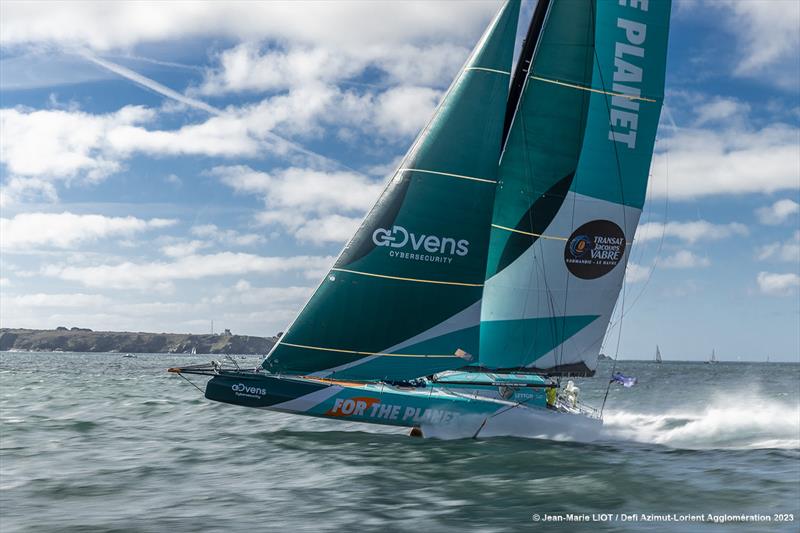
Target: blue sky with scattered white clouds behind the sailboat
(164, 165)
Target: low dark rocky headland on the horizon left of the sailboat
(85, 340)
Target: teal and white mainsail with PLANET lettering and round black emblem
(572, 182)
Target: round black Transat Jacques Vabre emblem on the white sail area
(594, 249)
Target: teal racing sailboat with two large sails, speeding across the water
(490, 265)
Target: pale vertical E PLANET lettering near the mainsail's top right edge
(629, 53)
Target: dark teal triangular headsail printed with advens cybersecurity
(403, 299)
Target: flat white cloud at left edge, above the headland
(66, 230)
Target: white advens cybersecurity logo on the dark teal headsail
(405, 244)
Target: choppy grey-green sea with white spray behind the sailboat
(102, 443)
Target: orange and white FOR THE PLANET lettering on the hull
(372, 408)
